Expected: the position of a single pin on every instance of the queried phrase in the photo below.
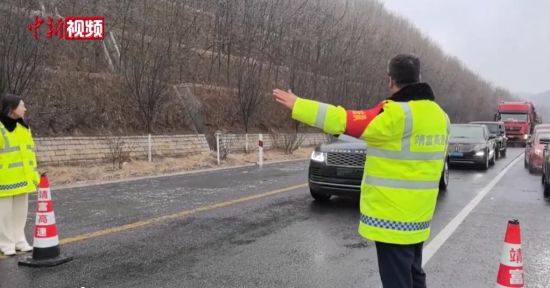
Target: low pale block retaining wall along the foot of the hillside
(76, 150)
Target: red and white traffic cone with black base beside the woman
(46, 250)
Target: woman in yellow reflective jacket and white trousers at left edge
(18, 174)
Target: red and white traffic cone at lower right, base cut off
(510, 273)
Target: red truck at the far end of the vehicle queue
(519, 120)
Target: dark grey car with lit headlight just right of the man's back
(471, 144)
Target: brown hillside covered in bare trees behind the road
(182, 66)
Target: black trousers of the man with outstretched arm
(401, 265)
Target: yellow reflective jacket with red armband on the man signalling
(406, 150)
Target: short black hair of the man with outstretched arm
(404, 69)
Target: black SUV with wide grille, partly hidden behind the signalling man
(337, 169)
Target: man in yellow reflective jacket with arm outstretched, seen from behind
(406, 137)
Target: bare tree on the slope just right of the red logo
(146, 58)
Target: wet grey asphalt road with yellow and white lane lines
(251, 227)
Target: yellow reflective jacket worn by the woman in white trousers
(18, 174)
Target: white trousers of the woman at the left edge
(13, 217)
